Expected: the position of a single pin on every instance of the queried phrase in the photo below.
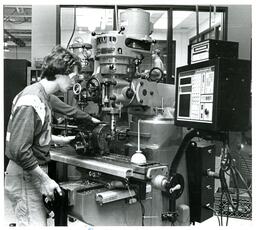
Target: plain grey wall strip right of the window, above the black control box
(240, 28)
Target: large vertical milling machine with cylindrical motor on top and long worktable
(117, 172)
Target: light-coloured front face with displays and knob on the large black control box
(195, 95)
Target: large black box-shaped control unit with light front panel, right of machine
(207, 95)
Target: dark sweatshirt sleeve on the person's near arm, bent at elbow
(21, 137)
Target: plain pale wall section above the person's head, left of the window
(43, 30)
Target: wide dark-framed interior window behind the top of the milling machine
(178, 23)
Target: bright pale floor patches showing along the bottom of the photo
(213, 222)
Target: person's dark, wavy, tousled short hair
(59, 61)
